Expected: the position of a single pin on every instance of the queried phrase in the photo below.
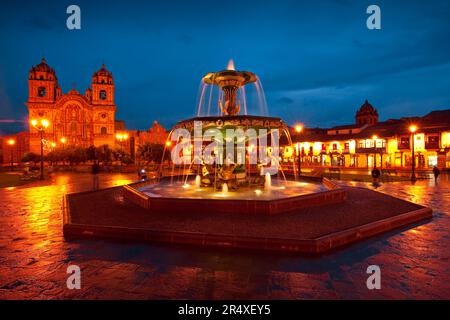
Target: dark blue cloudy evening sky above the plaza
(317, 60)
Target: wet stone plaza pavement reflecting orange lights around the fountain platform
(34, 256)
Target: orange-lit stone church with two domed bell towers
(81, 119)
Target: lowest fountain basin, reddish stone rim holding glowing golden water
(283, 197)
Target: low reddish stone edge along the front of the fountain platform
(312, 246)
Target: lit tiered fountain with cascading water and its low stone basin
(227, 175)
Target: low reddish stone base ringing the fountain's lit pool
(266, 203)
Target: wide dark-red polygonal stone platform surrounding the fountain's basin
(364, 213)
